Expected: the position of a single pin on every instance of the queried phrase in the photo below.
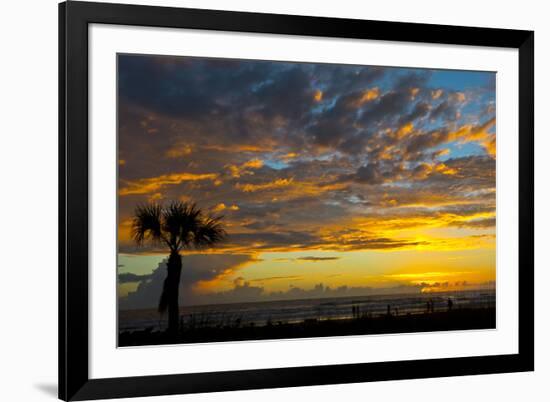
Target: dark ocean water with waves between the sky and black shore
(291, 311)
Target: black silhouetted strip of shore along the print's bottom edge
(457, 319)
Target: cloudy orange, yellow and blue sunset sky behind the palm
(334, 180)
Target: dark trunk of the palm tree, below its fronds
(170, 292)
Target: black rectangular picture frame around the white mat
(74, 381)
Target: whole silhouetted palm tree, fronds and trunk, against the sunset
(179, 226)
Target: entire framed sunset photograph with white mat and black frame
(254, 200)
